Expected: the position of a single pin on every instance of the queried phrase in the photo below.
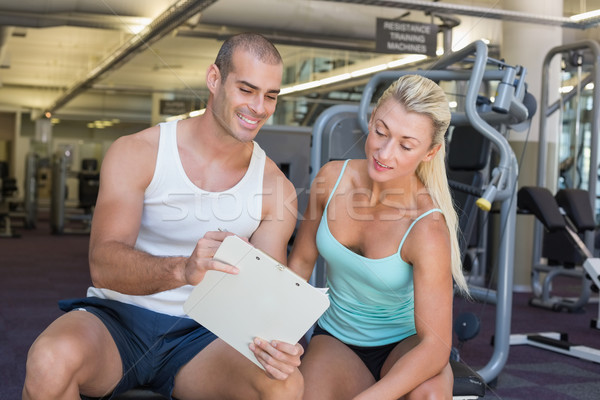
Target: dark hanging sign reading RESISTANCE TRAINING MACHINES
(398, 37)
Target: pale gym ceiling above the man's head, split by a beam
(48, 47)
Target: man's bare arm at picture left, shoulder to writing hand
(127, 170)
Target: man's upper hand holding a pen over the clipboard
(201, 259)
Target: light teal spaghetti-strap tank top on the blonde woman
(372, 300)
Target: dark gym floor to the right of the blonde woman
(534, 373)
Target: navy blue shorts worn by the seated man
(153, 346)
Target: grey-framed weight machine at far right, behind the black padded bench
(578, 55)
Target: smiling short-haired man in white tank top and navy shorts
(168, 197)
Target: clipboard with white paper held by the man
(265, 299)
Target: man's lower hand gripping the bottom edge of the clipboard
(278, 358)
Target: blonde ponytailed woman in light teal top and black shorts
(387, 228)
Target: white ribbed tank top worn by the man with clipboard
(177, 214)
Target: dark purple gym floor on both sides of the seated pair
(37, 269)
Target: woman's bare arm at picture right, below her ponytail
(428, 249)
